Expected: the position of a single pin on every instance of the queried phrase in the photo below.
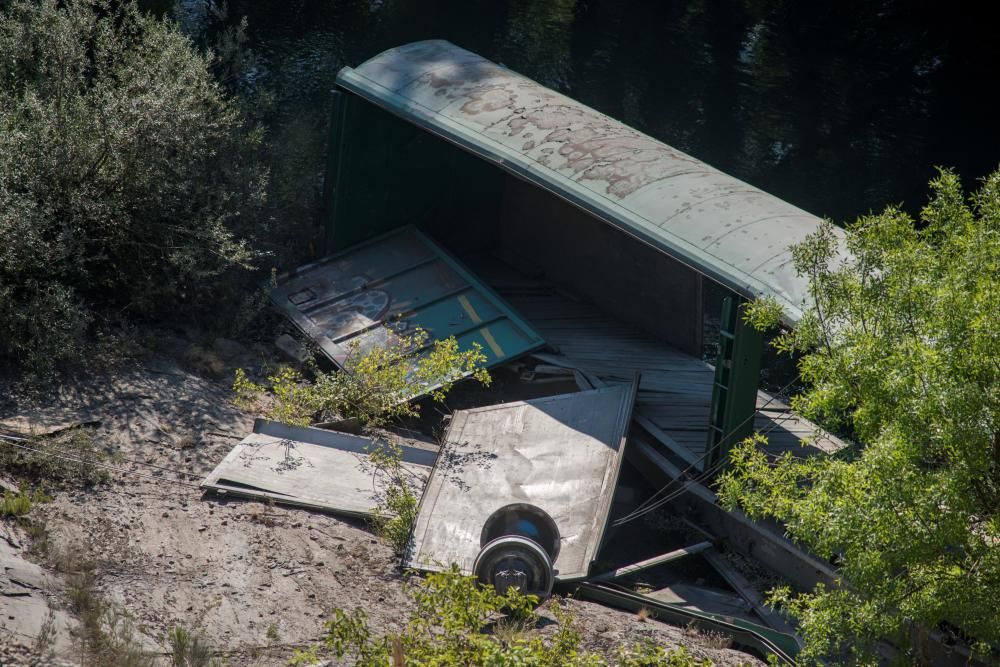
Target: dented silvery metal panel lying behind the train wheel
(561, 454)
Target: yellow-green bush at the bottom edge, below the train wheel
(458, 622)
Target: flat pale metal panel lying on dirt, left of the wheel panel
(314, 468)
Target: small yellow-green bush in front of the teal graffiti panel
(374, 387)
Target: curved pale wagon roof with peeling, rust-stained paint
(725, 228)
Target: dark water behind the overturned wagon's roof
(838, 107)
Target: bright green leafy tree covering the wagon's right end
(902, 347)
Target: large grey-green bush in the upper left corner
(127, 181)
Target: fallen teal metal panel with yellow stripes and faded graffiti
(399, 282)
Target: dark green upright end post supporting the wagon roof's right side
(737, 377)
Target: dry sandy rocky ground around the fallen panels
(254, 580)
